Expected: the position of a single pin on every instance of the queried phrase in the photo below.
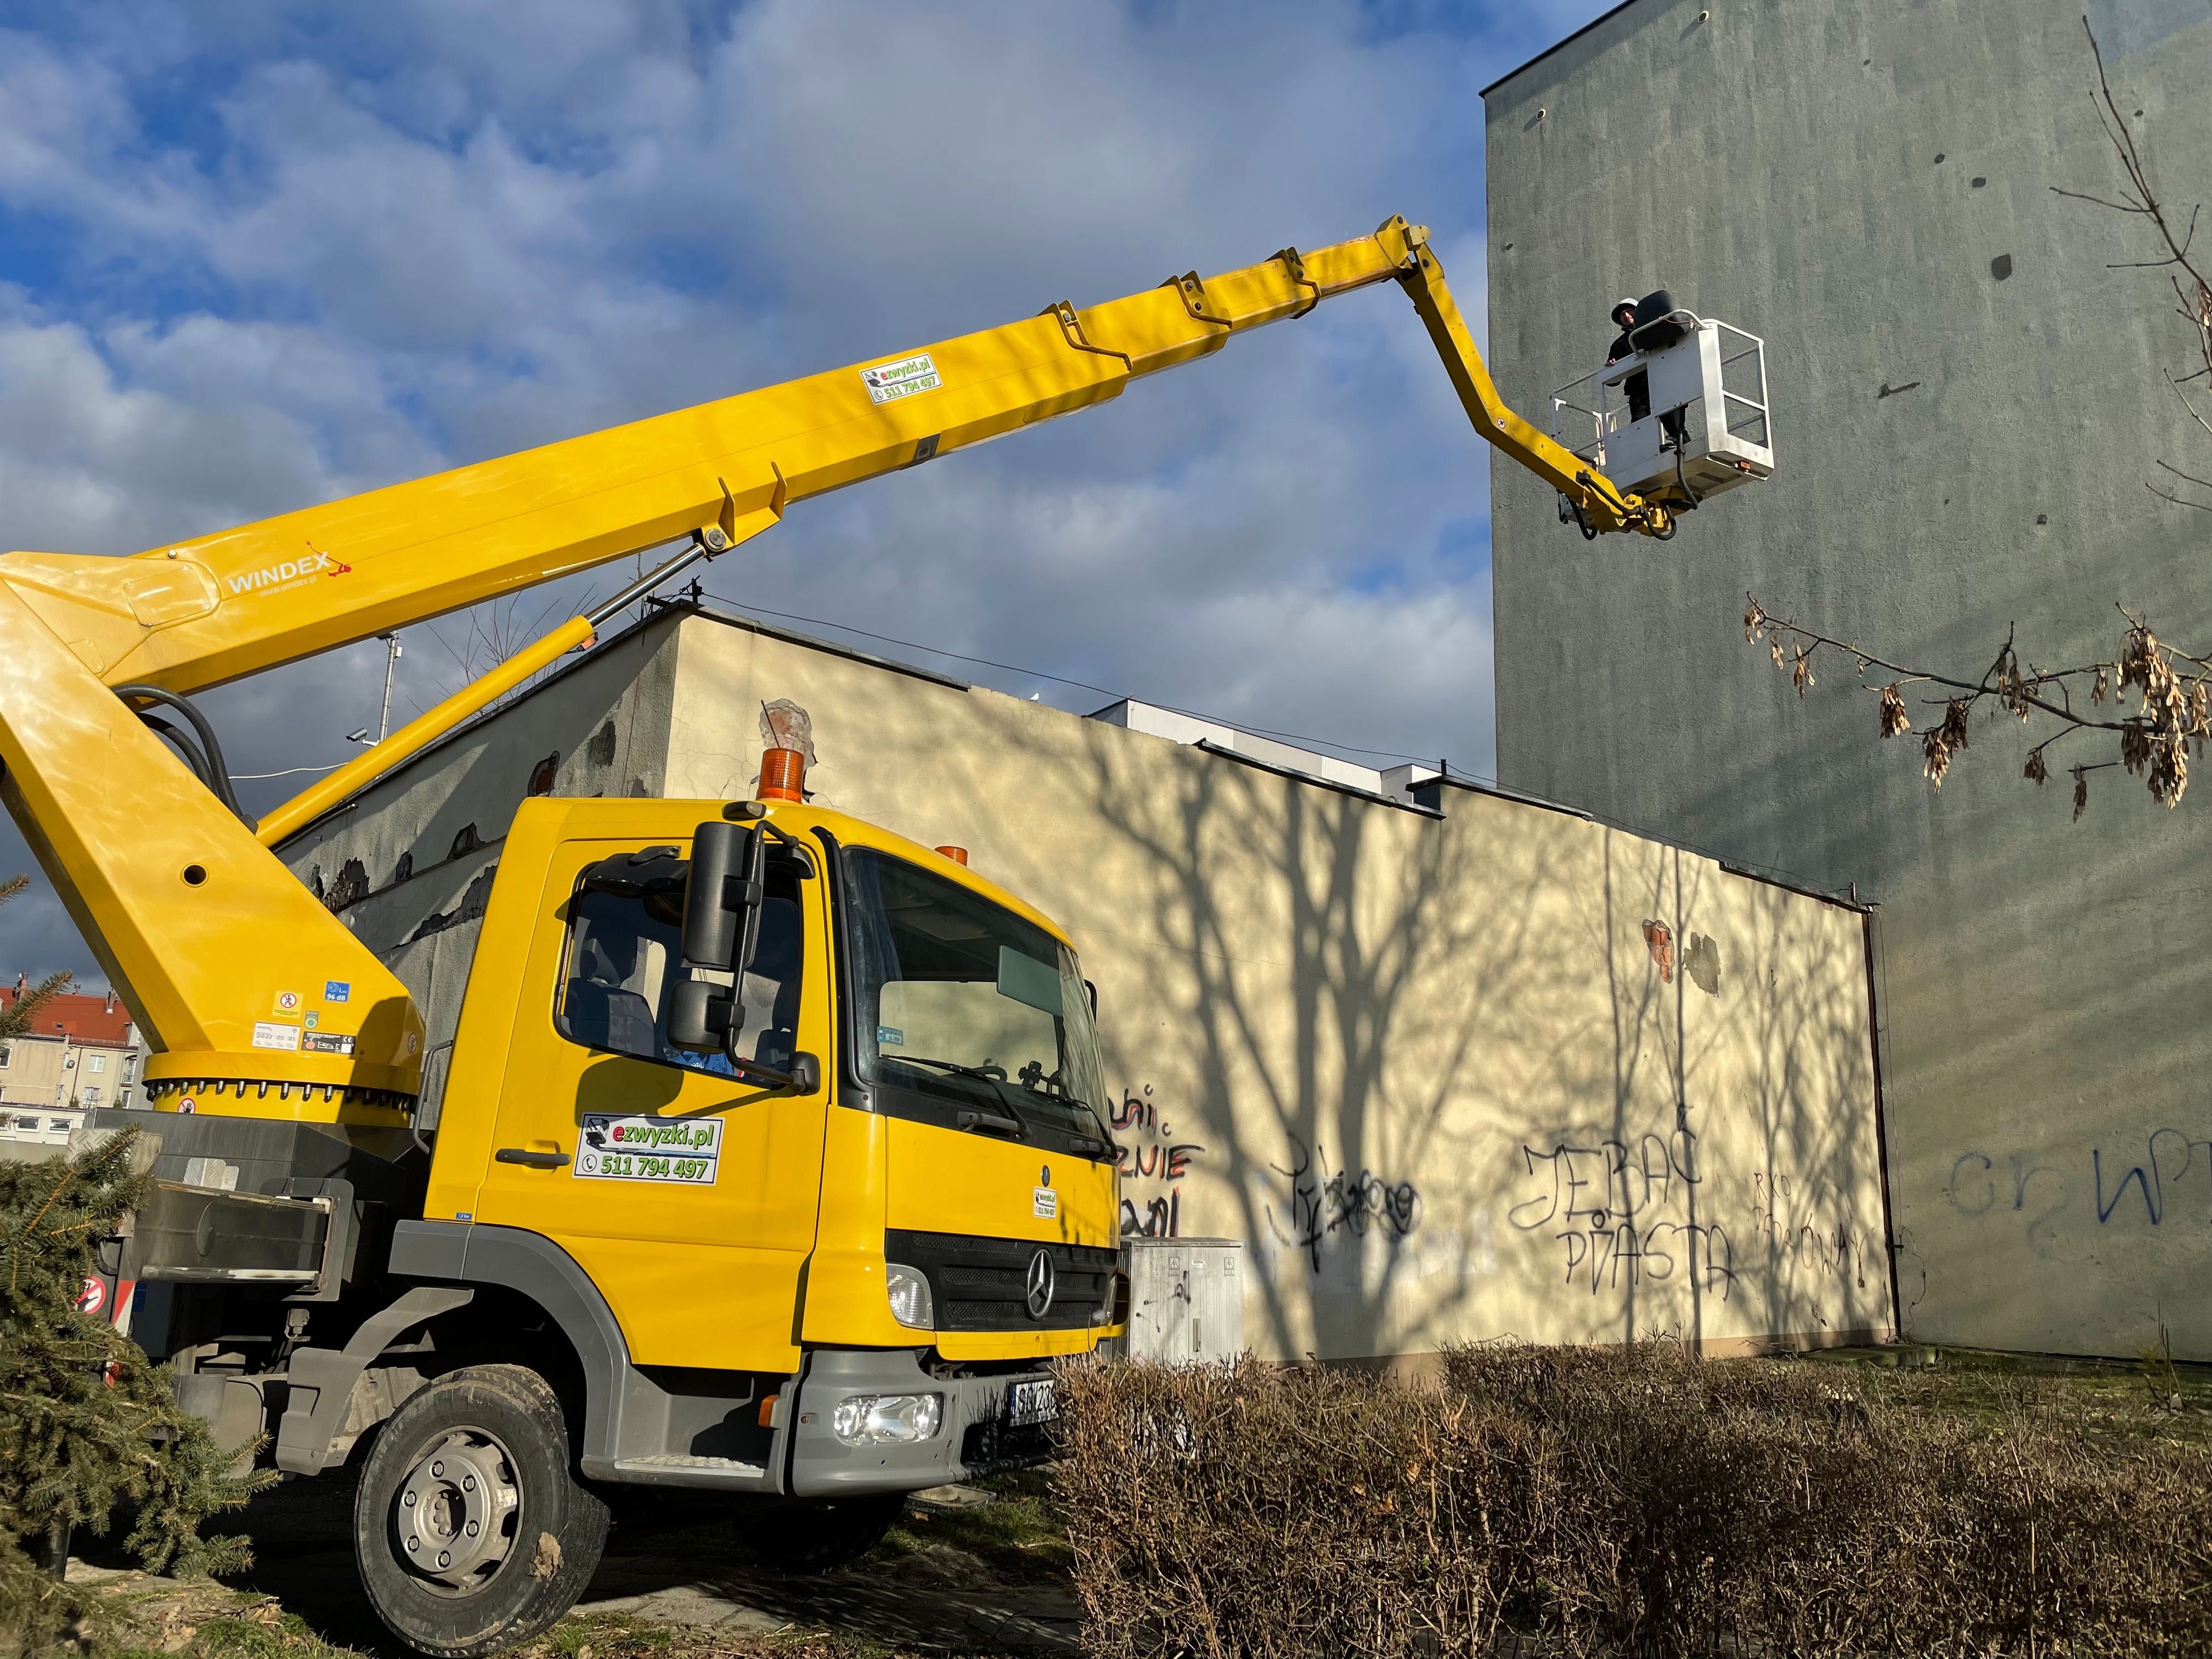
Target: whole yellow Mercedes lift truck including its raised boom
(769, 1156)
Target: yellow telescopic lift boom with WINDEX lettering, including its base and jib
(189, 912)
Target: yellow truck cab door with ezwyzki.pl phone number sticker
(685, 1193)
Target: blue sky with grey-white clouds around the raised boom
(260, 255)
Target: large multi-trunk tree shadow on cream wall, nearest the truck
(1344, 970)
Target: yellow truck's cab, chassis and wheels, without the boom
(815, 1264)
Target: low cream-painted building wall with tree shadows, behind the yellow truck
(1428, 1065)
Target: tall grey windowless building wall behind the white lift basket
(1968, 408)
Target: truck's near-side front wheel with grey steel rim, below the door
(470, 1530)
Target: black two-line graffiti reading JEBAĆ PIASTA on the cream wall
(1623, 1213)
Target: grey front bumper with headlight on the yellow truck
(972, 1437)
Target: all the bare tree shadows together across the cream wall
(1408, 1034)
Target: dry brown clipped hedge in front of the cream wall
(1614, 1501)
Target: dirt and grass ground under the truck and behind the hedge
(974, 1572)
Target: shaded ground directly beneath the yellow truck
(676, 1565)
